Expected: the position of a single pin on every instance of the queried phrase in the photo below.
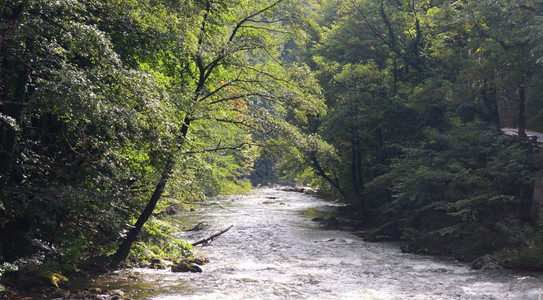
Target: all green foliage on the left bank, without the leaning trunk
(96, 96)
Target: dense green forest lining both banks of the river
(115, 112)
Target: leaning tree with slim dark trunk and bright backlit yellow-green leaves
(235, 65)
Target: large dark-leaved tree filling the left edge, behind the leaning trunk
(74, 119)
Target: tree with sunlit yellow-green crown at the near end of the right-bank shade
(370, 61)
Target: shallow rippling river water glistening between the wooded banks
(275, 251)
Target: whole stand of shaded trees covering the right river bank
(416, 93)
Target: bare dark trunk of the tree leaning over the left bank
(124, 248)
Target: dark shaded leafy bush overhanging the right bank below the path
(454, 192)
